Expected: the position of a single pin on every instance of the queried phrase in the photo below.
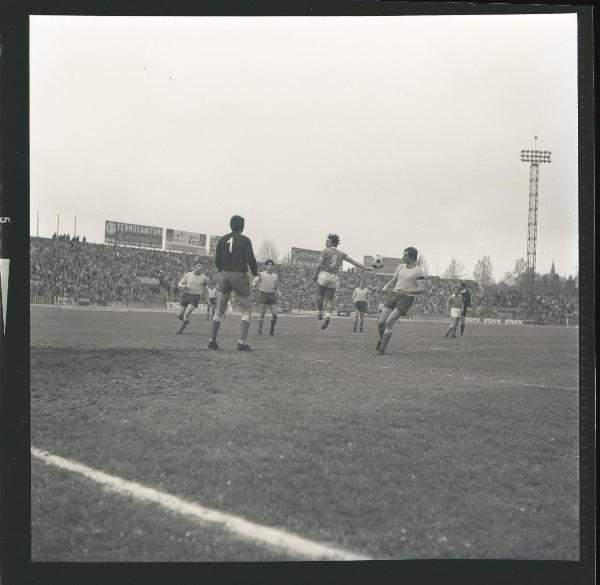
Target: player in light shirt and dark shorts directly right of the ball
(408, 281)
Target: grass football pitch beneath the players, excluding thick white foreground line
(464, 448)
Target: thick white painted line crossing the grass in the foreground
(278, 539)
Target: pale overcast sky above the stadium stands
(389, 131)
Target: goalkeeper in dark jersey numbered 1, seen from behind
(233, 256)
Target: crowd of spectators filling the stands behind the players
(99, 273)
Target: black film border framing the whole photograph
(15, 427)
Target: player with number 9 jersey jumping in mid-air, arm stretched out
(327, 275)
